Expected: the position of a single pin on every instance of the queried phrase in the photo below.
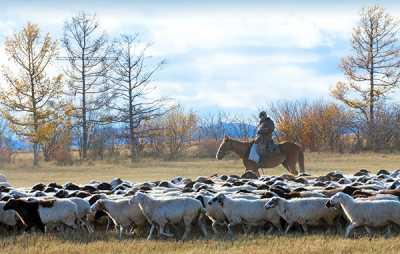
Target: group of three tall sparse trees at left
(104, 82)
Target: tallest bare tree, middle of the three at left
(89, 56)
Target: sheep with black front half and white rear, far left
(39, 213)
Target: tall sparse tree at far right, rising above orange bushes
(373, 69)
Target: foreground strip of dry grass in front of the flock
(108, 243)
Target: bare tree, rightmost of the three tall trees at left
(133, 72)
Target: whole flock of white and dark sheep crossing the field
(219, 204)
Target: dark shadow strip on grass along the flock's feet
(83, 237)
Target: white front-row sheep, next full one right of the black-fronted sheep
(121, 212)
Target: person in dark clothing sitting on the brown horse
(263, 139)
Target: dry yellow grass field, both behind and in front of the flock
(21, 174)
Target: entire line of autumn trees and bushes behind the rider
(99, 103)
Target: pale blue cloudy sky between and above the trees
(234, 56)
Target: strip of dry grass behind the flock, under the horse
(21, 172)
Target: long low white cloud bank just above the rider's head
(276, 83)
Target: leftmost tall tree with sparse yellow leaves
(30, 97)
